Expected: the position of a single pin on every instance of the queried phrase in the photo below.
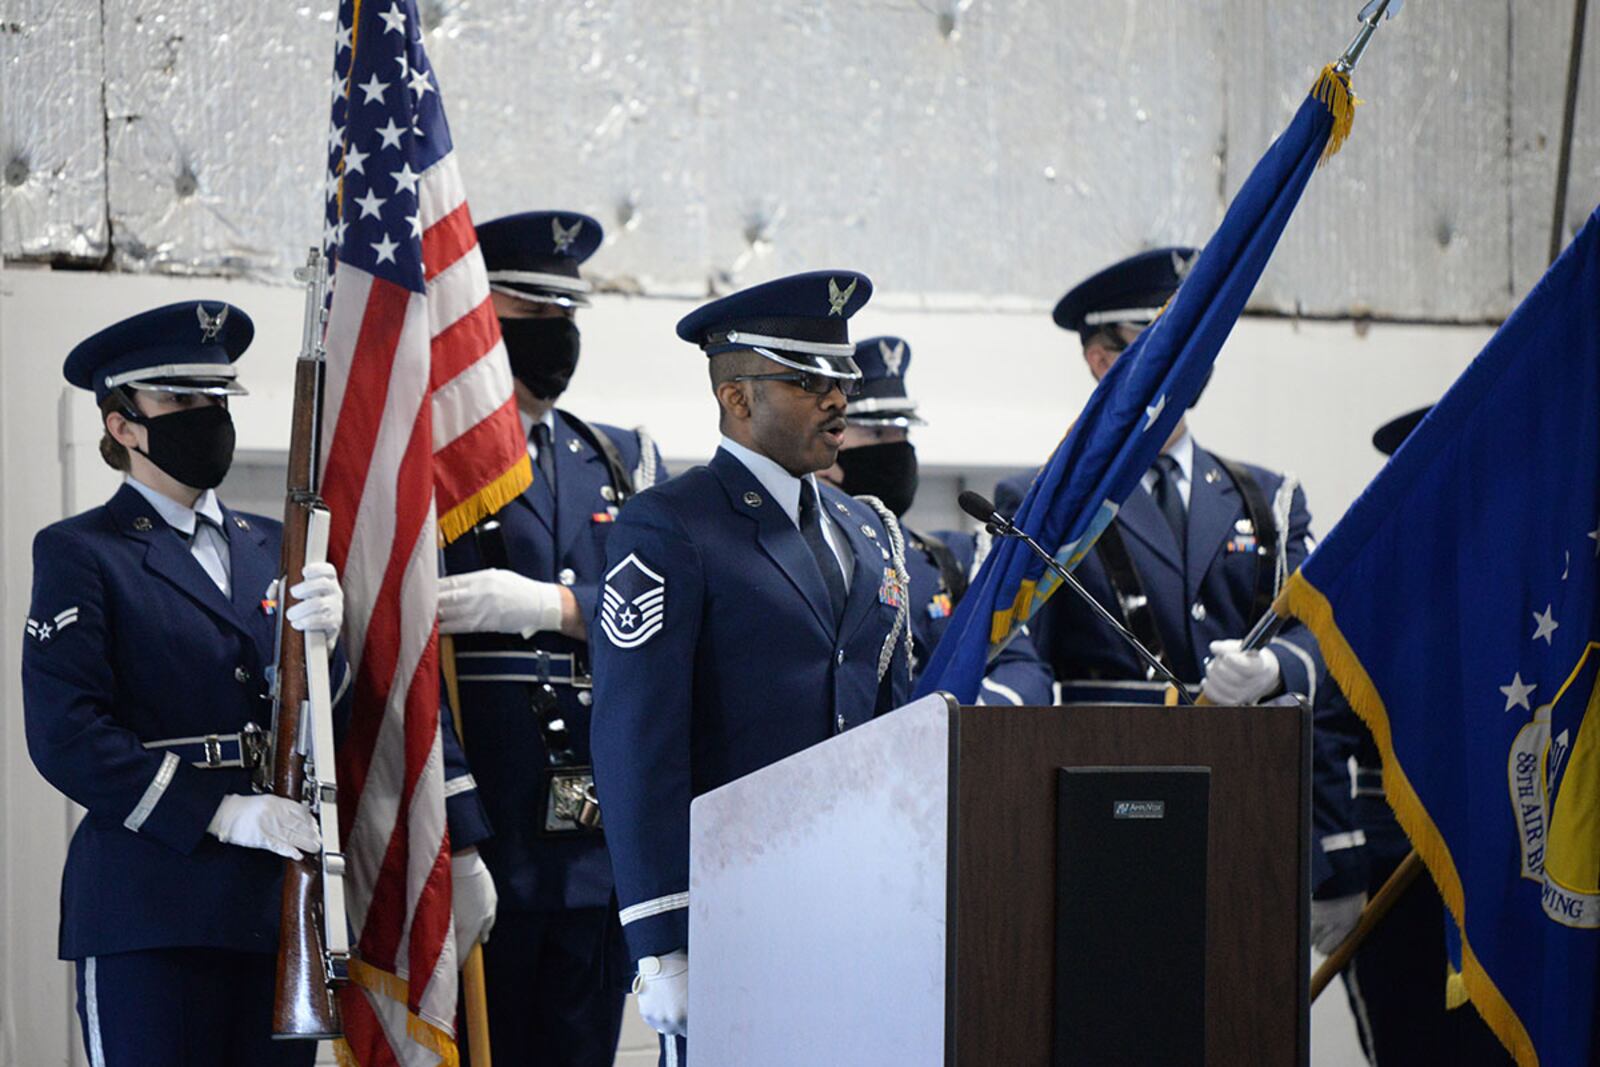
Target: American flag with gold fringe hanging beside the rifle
(423, 439)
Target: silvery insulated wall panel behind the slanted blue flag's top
(1412, 220)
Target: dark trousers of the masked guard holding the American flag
(558, 983)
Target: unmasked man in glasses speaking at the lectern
(750, 610)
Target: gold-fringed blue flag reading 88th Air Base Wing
(1458, 609)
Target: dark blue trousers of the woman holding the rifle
(183, 1009)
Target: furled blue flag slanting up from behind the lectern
(1134, 410)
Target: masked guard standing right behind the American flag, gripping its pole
(519, 593)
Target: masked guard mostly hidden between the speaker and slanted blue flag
(879, 460)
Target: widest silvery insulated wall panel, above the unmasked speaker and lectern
(969, 154)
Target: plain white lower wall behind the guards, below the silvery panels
(999, 390)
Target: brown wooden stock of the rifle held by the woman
(305, 1005)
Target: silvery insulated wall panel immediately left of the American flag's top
(217, 116)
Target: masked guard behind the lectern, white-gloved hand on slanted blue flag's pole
(1193, 559)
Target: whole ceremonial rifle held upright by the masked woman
(314, 948)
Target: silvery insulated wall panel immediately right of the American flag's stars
(583, 106)
